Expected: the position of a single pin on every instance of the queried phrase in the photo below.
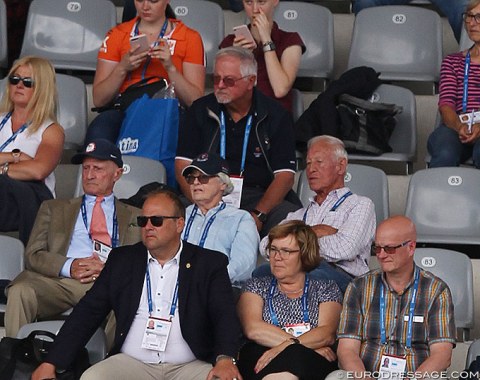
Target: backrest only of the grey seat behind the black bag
(404, 136)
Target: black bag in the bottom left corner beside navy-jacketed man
(20, 357)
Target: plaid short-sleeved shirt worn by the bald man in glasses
(360, 318)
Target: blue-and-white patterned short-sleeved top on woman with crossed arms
(289, 310)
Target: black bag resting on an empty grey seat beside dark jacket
(366, 127)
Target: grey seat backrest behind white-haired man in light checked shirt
(362, 180)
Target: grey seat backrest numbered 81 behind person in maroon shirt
(314, 23)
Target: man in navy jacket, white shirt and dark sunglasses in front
(139, 283)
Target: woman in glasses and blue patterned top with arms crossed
(289, 318)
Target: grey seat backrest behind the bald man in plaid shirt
(455, 268)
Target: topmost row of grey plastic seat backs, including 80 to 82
(385, 38)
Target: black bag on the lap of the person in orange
(149, 86)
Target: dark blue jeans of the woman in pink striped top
(446, 148)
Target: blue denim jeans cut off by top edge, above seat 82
(452, 9)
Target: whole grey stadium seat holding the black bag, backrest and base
(404, 137)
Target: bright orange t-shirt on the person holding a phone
(185, 46)
